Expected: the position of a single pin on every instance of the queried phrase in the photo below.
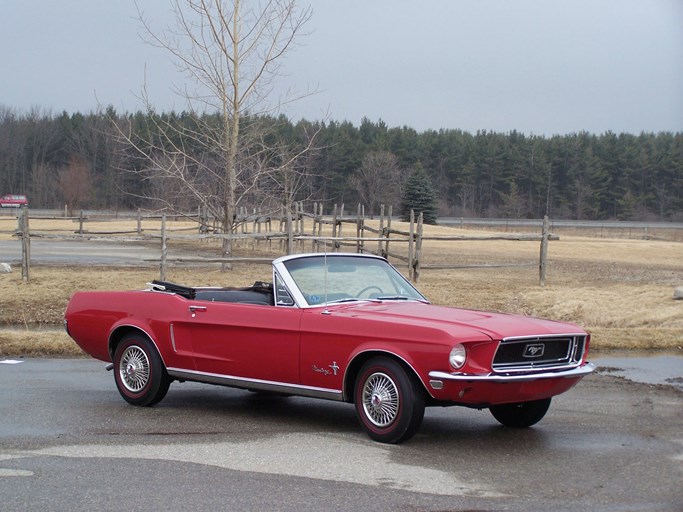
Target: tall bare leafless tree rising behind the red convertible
(231, 52)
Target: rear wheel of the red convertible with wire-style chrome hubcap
(138, 371)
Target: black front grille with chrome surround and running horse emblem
(539, 352)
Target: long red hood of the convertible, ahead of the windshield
(455, 321)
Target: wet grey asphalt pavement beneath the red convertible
(69, 442)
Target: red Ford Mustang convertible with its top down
(344, 327)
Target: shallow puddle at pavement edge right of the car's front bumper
(640, 366)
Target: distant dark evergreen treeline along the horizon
(79, 160)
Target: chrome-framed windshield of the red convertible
(327, 279)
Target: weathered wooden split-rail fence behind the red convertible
(328, 233)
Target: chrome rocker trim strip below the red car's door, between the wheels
(257, 384)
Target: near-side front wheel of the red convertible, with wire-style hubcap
(389, 402)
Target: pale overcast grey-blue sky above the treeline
(537, 66)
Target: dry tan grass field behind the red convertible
(620, 290)
